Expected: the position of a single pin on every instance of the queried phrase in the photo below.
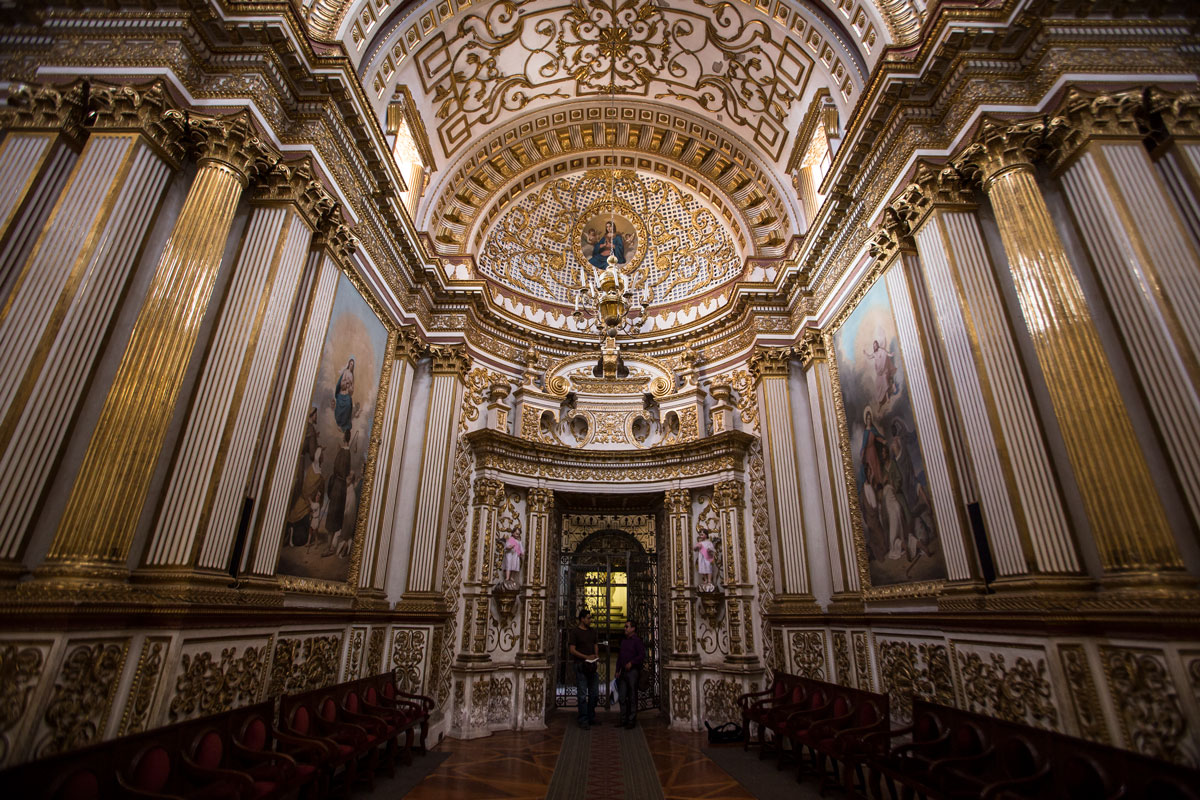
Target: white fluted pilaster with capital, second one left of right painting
(770, 368)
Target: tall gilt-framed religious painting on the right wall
(899, 532)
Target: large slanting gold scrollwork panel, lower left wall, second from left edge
(82, 699)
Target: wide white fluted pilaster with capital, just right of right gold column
(1147, 264)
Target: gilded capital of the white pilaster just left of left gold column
(142, 110)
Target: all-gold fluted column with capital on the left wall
(98, 527)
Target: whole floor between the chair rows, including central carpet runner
(521, 766)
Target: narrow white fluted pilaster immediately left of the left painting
(331, 254)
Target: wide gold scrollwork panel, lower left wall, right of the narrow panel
(215, 676)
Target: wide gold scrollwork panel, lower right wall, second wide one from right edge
(1010, 683)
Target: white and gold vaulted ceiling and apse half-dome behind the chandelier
(698, 103)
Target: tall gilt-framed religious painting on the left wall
(319, 536)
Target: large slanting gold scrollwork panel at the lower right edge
(1148, 702)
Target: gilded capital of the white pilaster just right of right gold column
(1096, 116)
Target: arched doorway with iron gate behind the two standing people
(614, 575)
